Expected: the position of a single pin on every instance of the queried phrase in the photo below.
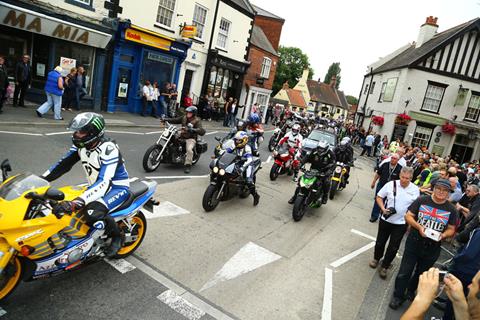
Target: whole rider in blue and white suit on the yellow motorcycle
(108, 184)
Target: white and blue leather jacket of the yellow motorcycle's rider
(103, 166)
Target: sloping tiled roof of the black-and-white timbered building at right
(412, 54)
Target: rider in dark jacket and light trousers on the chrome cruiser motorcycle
(191, 129)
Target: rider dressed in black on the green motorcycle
(323, 160)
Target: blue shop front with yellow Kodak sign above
(140, 55)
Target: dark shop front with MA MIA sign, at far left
(53, 40)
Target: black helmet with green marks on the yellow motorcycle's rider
(88, 128)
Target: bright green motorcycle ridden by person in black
(309, 194)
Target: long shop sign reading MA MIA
(31, 21)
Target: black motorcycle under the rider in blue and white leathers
(227, 179)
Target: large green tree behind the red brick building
(291, 63)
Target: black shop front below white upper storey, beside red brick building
(223, 76)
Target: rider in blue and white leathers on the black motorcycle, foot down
(244, 153)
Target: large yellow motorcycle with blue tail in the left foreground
(36, 243)
